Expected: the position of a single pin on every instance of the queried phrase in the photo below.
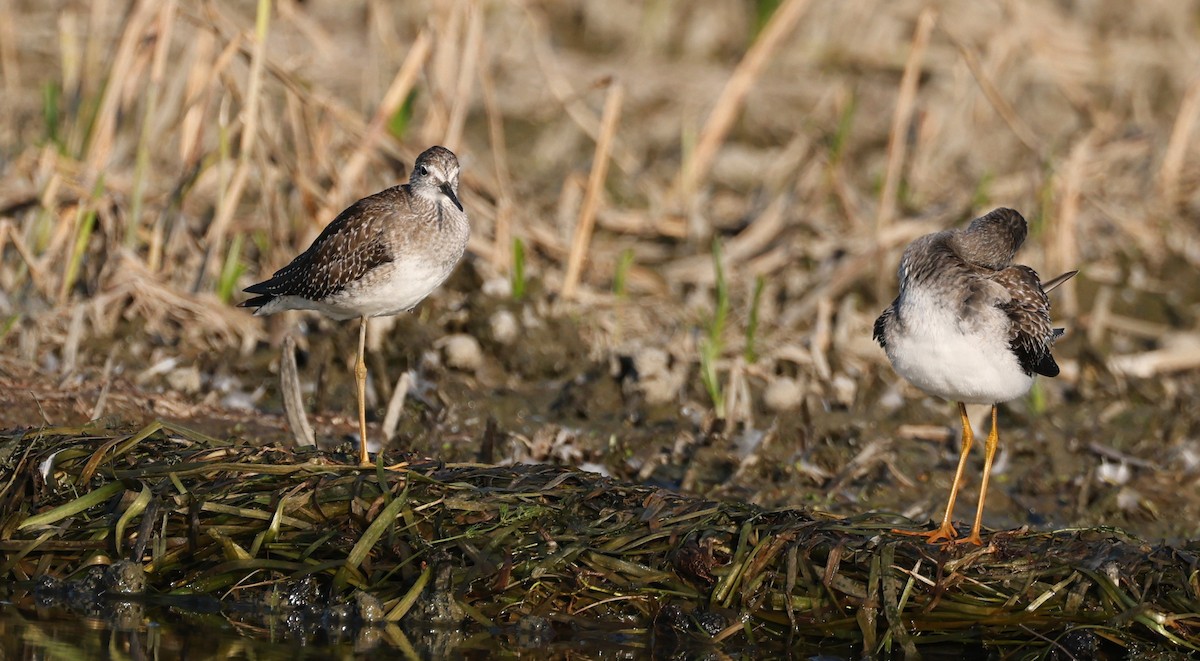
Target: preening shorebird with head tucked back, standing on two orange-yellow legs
(970, 327)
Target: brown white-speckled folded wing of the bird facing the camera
(345, 251)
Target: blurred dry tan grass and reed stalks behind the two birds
(194, 136)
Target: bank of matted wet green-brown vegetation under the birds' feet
(491, 549)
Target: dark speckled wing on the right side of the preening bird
(1029, 313)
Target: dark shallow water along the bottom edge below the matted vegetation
(55, 633)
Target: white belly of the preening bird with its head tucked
(938, 357)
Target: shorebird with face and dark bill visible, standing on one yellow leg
(382, 256)
